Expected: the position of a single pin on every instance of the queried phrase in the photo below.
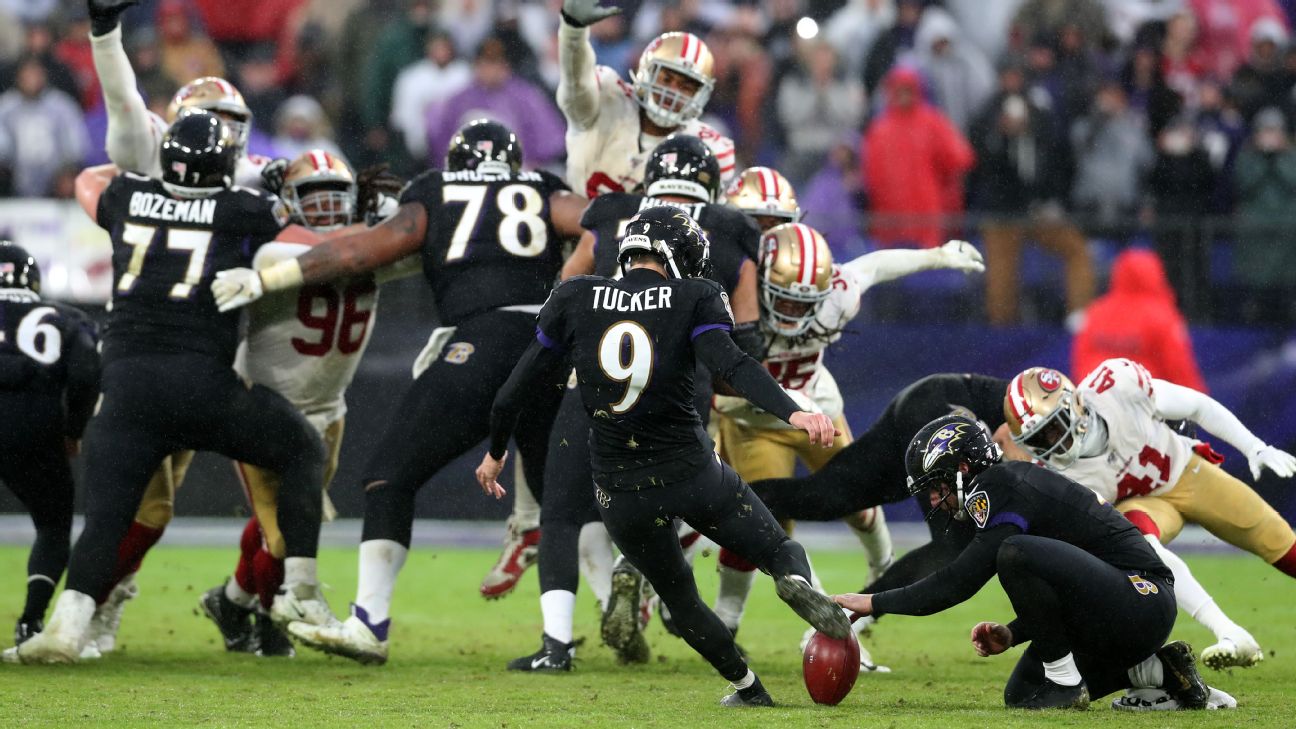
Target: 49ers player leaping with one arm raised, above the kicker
(614, 126)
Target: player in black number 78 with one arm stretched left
(489, 234)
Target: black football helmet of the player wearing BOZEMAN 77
(199, 155)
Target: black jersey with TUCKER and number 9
(632, 344)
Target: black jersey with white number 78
(491, 242)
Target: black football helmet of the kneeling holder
(942, 448)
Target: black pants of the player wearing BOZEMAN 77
(155, 405)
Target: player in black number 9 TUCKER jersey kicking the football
(634, 344)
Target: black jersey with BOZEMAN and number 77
(167, 251)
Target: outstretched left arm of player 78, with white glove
(351, 255)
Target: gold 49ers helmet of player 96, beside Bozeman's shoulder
(319, 191)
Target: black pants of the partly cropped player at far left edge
(34, 466)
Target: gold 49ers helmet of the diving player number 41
(1047, 416)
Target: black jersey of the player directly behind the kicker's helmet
(734, 237)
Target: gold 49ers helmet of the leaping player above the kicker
(684, 54)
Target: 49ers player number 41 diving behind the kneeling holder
(1110, 435)
